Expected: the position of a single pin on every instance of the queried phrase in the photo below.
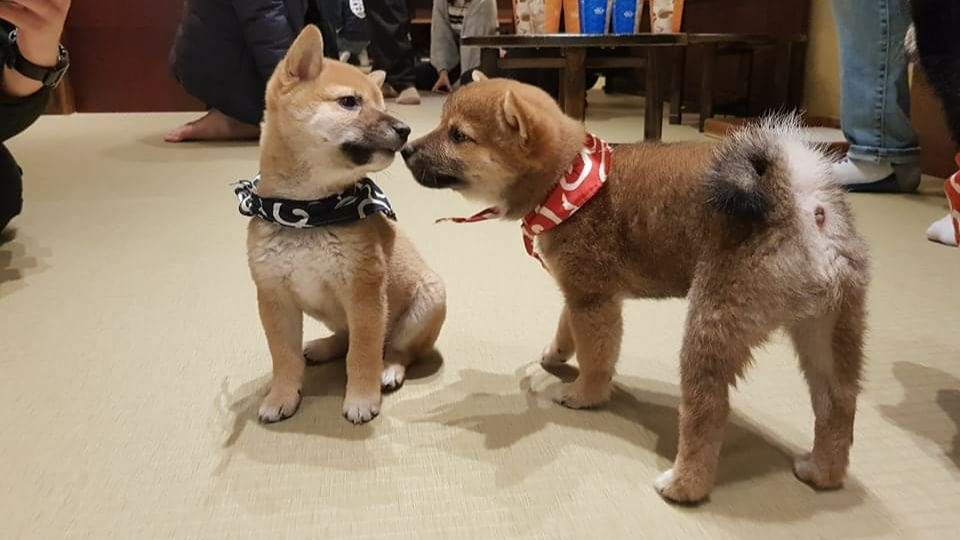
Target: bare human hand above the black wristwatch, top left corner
(40, 25)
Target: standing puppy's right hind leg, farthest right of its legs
(831, 355)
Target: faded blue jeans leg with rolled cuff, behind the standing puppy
(875, 100)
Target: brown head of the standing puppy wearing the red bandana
(493, 134)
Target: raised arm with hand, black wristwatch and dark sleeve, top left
(40, 24)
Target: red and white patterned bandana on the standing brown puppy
(582, 181)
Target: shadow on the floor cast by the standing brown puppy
(641, 417)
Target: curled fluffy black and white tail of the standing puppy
(751, 177)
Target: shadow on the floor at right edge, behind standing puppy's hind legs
(930, 407)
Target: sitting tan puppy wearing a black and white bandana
(323, 243)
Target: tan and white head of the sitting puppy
(330, 111)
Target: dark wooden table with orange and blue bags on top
(574, 61)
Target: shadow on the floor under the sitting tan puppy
(319, 415)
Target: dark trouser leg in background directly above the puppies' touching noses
(390, 47)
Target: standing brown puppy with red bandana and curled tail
(752, 231)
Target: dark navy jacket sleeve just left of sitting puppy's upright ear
(266, 28)
